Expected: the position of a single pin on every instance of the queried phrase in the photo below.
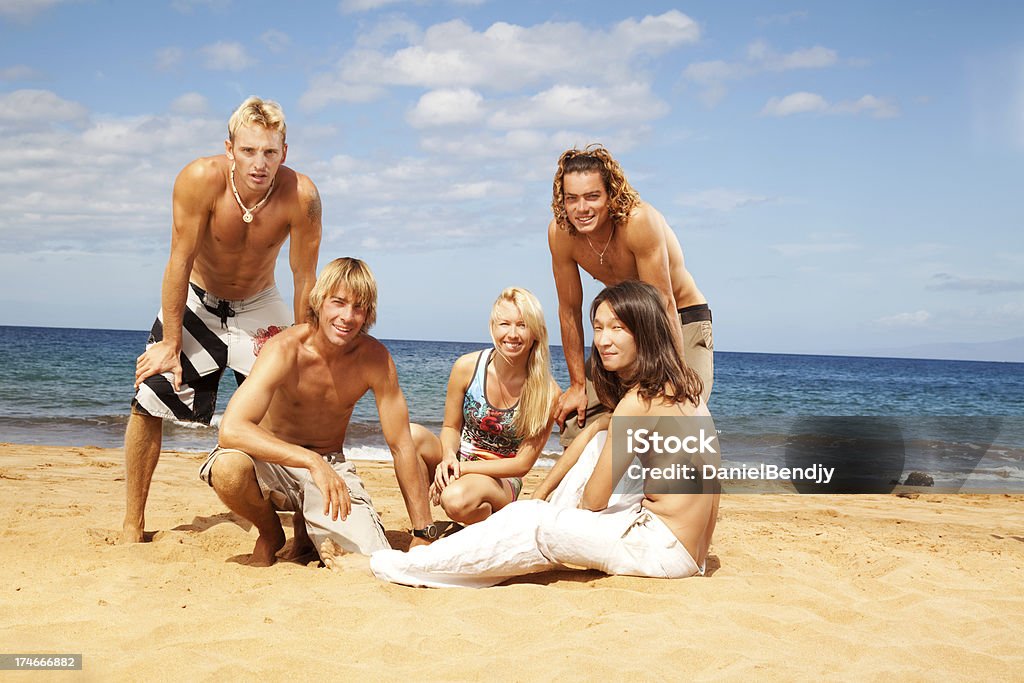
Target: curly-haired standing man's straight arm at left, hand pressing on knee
(570, 290)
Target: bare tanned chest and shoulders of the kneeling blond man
(316, 395)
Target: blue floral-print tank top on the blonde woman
(488, 433)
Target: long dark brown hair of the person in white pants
(659, 370)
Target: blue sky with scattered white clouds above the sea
(843, 178)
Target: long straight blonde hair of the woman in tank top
(538, 393)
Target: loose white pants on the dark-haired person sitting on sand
(528, 537)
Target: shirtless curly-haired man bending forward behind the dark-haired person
(602, 226)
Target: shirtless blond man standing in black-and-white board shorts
(219, 301)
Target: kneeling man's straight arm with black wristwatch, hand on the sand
(394, 414)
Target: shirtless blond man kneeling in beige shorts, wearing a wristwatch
(282, 436)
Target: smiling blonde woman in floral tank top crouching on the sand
(498, 415)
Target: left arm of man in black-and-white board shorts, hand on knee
(192, 205)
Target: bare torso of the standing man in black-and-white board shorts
(235, 260)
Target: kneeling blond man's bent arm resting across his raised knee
(241, 428)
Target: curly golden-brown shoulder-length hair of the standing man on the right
(594, 159)
